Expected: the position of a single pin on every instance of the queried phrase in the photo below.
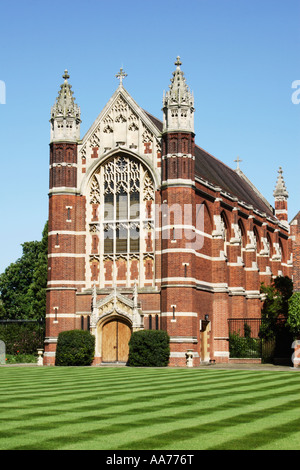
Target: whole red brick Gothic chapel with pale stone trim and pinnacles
(148, 230)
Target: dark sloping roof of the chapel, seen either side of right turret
(216, 172)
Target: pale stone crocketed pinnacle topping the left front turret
(65, 105)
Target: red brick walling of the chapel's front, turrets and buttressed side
(210, 278)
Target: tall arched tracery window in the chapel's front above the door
(122, 216)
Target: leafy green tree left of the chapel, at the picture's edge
(23, 283)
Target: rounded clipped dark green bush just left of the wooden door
(75, 348)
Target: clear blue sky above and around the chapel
(240, 58)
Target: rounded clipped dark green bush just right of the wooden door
(149, 348)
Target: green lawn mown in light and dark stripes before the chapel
(67, 408)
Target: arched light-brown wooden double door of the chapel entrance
(115, 338)
